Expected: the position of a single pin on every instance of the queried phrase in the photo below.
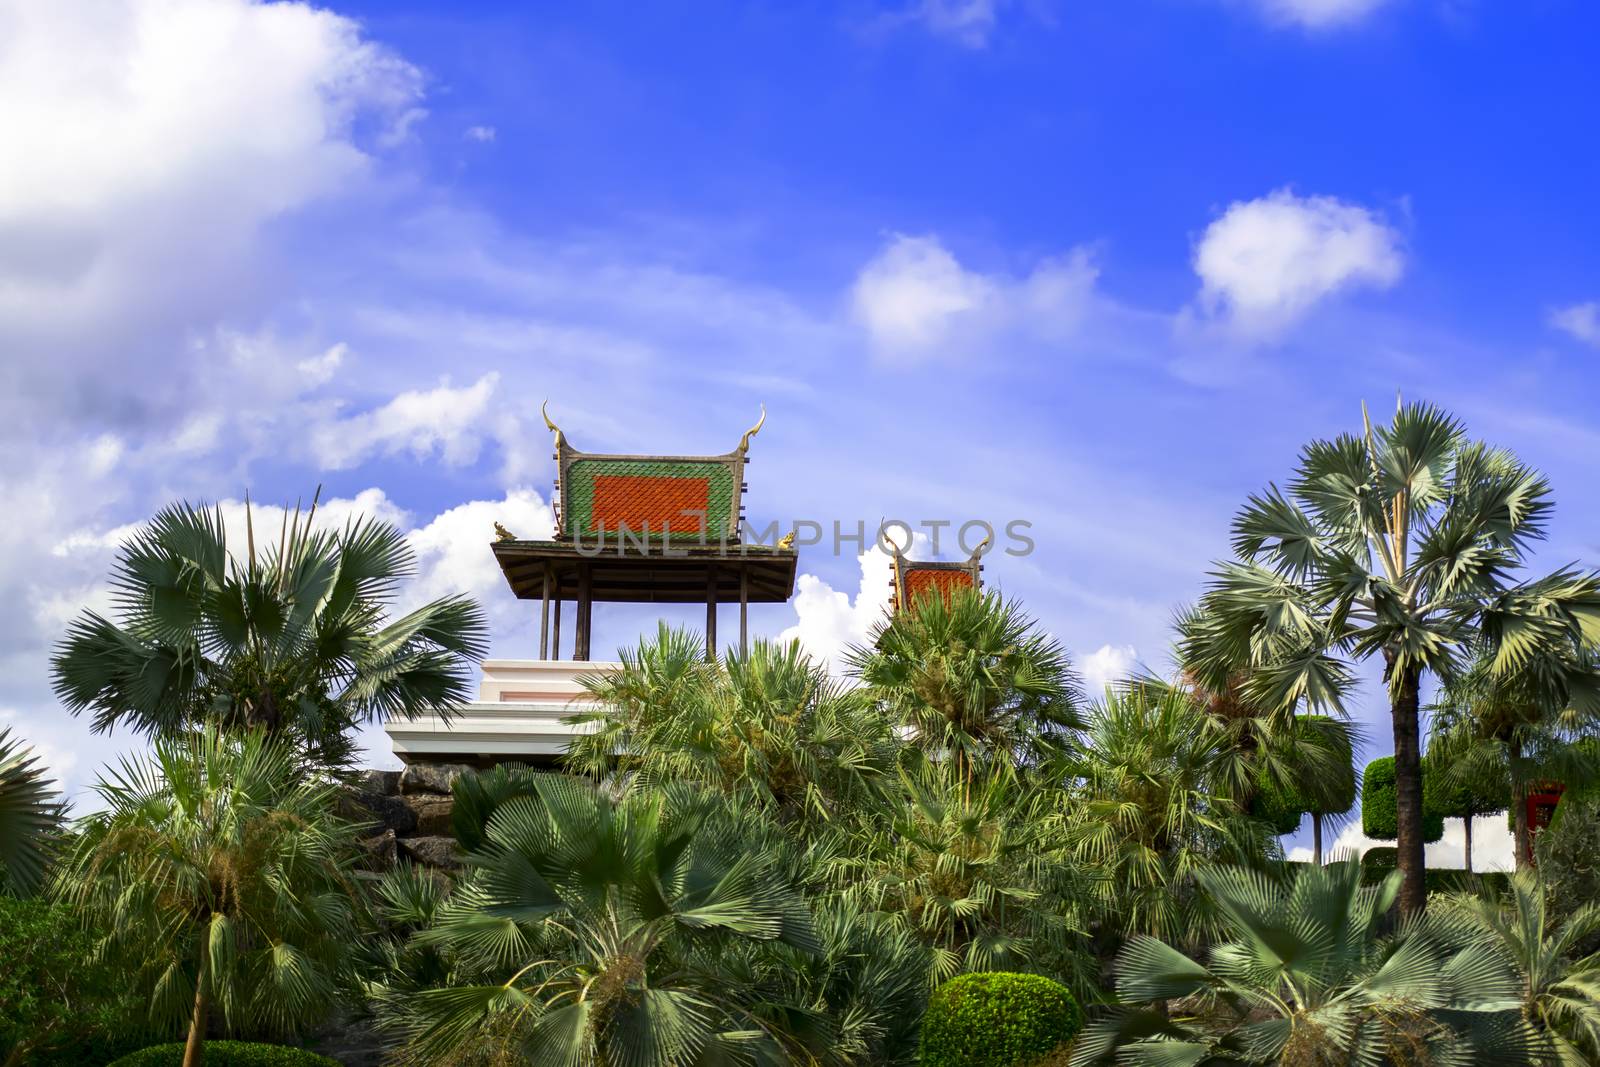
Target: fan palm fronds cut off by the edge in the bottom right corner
(1561, 993)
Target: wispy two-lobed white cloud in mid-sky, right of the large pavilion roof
(914, 300)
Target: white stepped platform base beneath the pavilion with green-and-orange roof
(524, 713)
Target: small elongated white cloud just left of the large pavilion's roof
(446, 420)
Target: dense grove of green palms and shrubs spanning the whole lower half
(754, 861)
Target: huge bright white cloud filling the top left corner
(148, 145)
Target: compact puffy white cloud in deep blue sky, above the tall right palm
(1265, 263)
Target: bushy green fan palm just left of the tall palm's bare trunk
(1148, 812)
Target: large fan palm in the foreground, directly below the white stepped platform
(596, 930)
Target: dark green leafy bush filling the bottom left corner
(55, 996)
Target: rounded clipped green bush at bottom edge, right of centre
(998, 1021)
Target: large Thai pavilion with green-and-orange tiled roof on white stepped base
(628, 530)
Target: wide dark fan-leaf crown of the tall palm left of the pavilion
(292, 639)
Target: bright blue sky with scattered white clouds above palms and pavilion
(1098, 266)
